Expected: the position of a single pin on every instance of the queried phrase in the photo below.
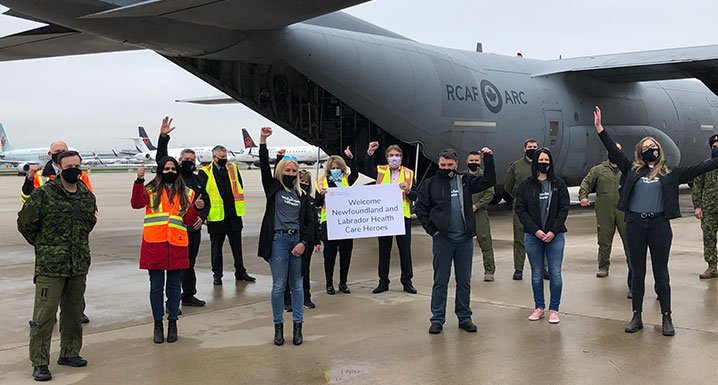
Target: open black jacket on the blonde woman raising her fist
(271, 185)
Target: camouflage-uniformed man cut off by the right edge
(705, 202)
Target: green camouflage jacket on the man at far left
(58, 224)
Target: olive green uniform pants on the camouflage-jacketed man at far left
(51, 292)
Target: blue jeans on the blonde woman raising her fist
(283, 263)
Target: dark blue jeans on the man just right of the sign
(461, 253)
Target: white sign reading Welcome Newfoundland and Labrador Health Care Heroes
(364, 211)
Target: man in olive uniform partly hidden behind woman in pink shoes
(519, 171)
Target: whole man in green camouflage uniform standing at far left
(57, 219)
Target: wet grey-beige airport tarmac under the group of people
(364, 338)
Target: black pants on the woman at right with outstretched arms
(654, 234)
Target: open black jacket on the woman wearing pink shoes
(526, 204)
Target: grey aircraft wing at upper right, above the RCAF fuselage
(678, 63)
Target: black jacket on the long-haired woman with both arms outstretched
(669, 182)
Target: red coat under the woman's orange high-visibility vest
(161, 256)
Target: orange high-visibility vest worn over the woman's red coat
(165, 224)
